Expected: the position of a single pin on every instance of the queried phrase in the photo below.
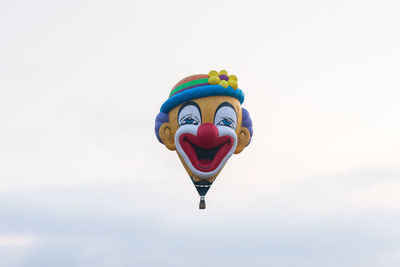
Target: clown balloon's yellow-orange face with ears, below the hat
(205, 132)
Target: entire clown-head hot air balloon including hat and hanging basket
(203, 120)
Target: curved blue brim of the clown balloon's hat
(202, 91)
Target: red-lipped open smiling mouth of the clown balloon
(205, 157)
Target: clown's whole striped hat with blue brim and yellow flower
(202, 85)
